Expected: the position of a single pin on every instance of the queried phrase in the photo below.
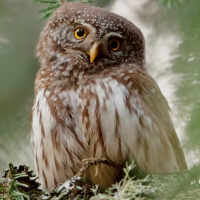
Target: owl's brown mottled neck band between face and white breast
(68, 70)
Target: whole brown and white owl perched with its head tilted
(95, 99)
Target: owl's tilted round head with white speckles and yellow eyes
(97, 36)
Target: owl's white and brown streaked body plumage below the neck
(118, 114)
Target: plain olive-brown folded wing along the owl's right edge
(158, 109)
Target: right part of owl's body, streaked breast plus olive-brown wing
(123, 115)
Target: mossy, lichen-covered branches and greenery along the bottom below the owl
(20, 184)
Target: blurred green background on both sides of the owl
(20, 26)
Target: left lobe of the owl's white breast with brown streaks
(58, 145)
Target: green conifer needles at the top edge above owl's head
(52, 5)
